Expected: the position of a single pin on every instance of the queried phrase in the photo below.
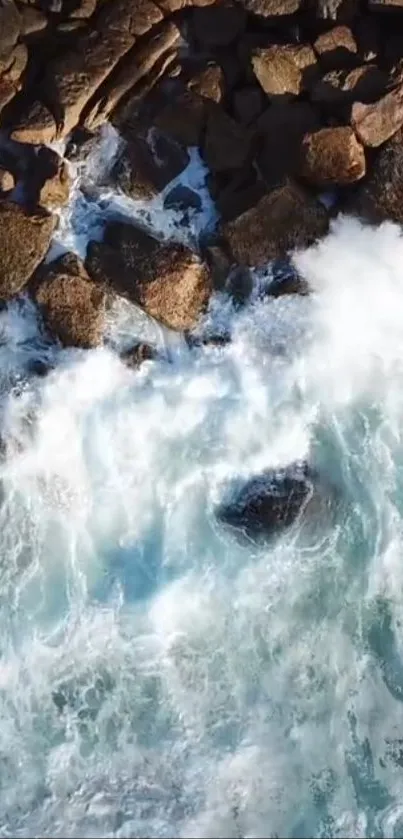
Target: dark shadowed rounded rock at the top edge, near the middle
(218, 25)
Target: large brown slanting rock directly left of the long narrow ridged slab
(74, 76)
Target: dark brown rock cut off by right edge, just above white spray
(380, 196)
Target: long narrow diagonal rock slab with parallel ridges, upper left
(135, 76)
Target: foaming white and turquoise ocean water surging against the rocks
(157, 676)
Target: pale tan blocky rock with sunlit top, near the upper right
(284, 69)
